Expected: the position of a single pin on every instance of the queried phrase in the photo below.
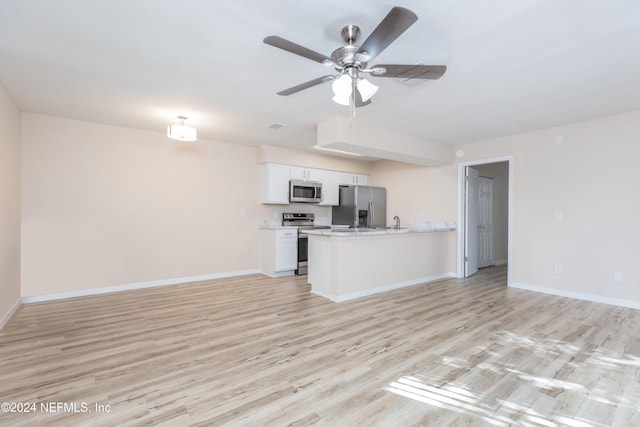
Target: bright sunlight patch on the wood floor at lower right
(546, 383)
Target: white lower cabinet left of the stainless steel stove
(279, 251)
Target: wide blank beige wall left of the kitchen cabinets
(105, 206)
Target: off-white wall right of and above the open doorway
(591, 178)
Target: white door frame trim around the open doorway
(461, 211)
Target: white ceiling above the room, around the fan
(513, 66)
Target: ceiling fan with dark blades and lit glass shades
(352, 60)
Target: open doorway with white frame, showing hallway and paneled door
(484, 215)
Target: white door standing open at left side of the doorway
(471, 214)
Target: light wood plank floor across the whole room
(257, 351)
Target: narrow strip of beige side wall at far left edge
(9, 205)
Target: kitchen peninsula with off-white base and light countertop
(345, 263)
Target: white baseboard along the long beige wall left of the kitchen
(135, 286)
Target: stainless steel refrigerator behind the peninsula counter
(361, 206)
